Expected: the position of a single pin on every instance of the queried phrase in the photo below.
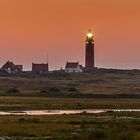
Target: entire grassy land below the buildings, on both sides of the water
(99, 89)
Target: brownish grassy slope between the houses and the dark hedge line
(95, 82)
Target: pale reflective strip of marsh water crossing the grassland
(60, 112)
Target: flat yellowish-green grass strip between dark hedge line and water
(35, 103)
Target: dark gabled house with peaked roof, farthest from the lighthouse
(10, 67)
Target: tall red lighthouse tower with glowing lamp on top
(89, 59)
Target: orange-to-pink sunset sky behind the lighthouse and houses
(54, 30)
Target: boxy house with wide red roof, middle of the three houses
(40, 68)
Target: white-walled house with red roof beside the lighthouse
(73, 67)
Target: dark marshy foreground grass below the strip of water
(106, 126)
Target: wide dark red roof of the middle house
(39, 67)
